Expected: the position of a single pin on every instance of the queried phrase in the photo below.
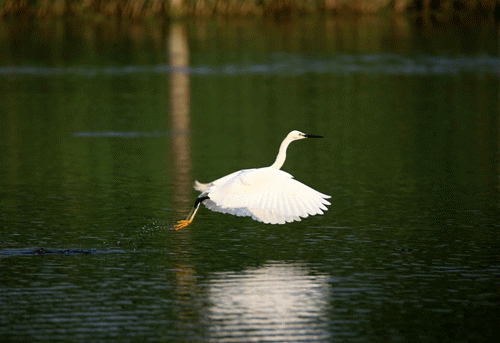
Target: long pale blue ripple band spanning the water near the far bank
(377, 64)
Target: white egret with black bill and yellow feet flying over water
(267, 194)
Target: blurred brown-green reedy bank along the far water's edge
(98, 9)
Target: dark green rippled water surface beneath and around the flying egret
(105, 127)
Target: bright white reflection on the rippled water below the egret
(274, 303)
